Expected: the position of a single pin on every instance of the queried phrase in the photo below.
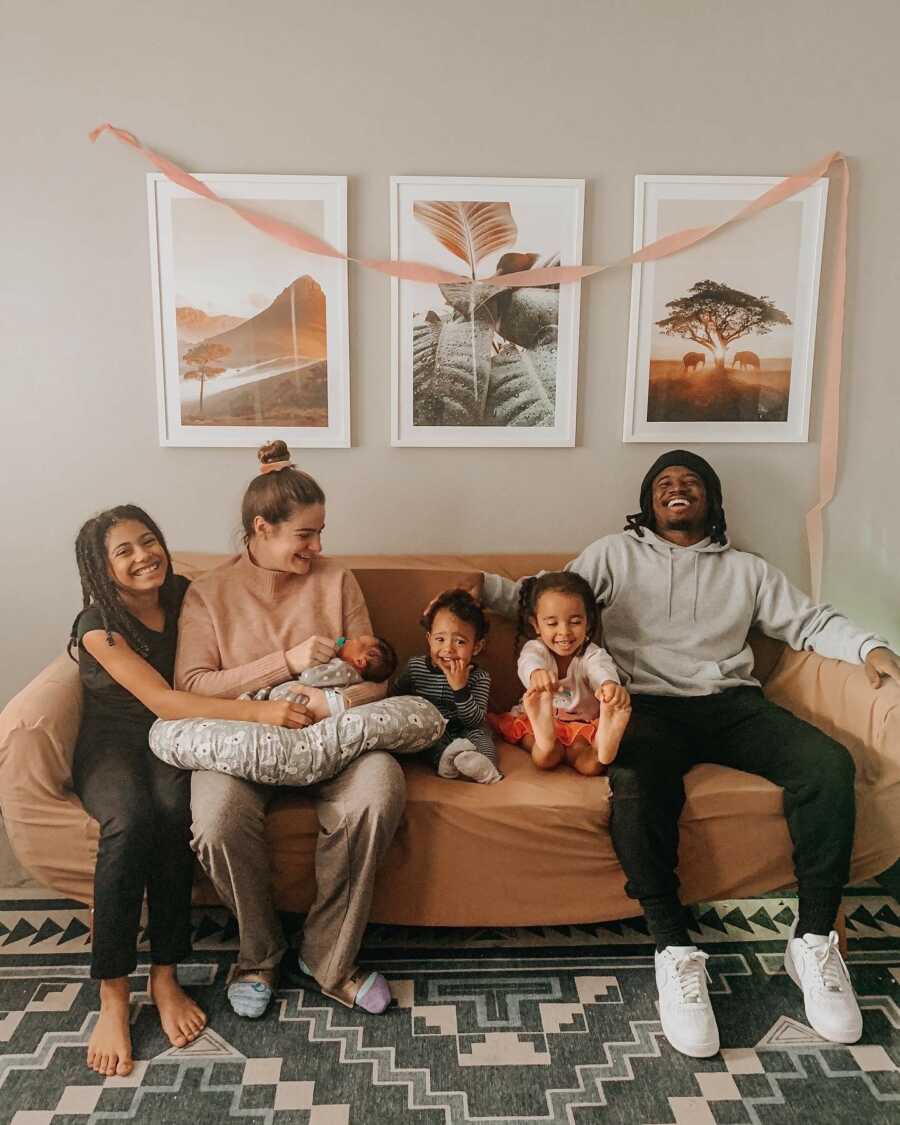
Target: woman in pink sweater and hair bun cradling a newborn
(260, 620)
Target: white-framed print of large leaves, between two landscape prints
(475, 364)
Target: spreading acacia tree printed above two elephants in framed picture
(715, 316)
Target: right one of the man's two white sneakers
(815, 965)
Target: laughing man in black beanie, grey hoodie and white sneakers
(678, 604)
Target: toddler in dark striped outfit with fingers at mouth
(456, 629)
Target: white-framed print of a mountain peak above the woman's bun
(281, 316)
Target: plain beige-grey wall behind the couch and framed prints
(598, 91)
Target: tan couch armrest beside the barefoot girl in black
(51, 834)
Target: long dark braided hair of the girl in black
(97, 587)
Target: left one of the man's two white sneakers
(685, 1004)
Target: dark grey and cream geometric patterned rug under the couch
(544, 1027)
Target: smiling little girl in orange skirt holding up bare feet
(575, 709)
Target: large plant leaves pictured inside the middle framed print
(490, 356)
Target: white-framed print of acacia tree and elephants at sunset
(759, 388)
